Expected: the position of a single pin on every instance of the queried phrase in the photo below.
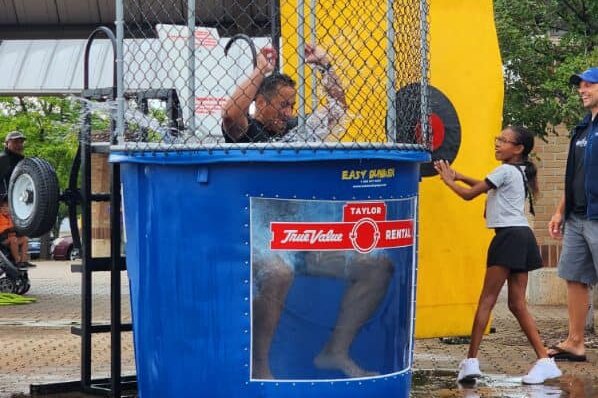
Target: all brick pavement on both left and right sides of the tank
(38, 348)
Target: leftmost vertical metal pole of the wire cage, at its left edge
(120, 81)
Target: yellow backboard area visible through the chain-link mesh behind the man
(354, 34)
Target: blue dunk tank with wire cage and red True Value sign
(282, 265)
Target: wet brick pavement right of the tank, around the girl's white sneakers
(506, 356)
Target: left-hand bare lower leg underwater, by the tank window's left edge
(273, 278)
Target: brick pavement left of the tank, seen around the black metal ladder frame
(38, 347)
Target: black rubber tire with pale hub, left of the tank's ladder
(33, 209)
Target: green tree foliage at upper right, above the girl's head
(543, 42)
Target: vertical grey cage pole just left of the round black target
(391, 105)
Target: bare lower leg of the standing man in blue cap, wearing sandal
(578, 301)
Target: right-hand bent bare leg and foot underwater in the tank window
(368, 278)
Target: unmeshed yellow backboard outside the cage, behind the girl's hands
(466, 67)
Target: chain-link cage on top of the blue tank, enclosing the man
(288, 73)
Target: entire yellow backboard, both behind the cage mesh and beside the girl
(465, 65)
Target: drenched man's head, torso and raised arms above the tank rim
(274, 95)
